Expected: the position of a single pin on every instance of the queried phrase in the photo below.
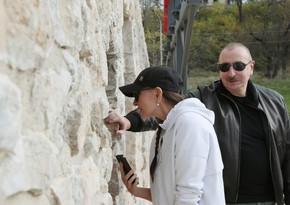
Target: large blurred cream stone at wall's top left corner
(31, 27)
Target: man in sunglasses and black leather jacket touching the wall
(253, 130)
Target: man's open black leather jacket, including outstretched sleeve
(227, 126)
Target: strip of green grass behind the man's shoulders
(280, 85)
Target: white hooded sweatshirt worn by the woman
(189, 167)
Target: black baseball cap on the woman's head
(156, 76)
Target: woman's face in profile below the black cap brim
(147, 101)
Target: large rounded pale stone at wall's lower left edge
(31, 168)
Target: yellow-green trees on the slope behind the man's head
(264, 29)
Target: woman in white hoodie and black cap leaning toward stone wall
(186, 165)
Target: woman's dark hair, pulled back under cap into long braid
(173, 98)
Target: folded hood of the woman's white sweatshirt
(188, 105)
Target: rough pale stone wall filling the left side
(61, 62)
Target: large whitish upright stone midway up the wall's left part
(49, 92)
